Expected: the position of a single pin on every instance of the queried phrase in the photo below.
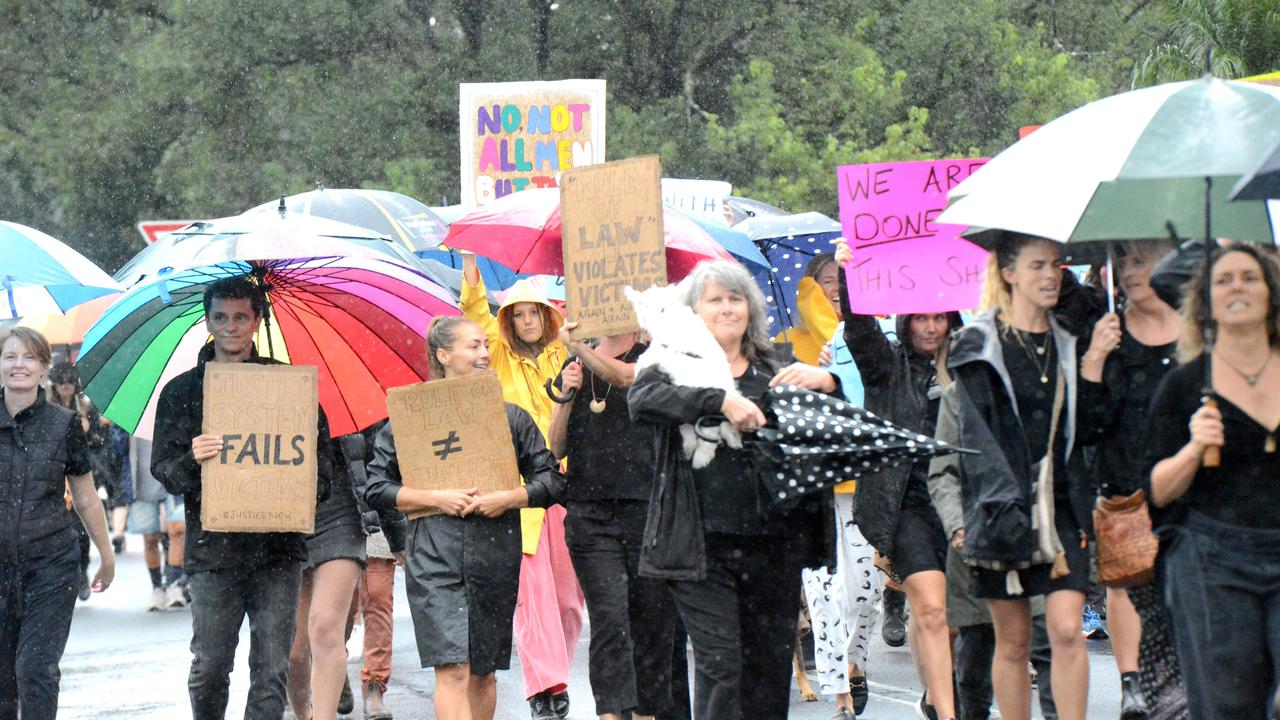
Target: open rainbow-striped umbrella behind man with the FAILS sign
(360, 321)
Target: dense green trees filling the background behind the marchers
(121, 111)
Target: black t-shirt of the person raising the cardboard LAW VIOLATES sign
(610, 458)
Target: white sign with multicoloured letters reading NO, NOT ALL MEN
(522, 135)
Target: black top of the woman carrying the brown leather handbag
(1133, 373)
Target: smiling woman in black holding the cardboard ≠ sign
(463, 566)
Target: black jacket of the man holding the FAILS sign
(180, 418)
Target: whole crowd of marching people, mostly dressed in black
(1165, 409)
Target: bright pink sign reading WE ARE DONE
(903, 259)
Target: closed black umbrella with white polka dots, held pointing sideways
(815, 441)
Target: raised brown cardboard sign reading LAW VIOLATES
(611, 220)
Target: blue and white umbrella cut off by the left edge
(42, 276)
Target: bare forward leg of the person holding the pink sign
(930, 637)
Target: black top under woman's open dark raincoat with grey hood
(1035, 382)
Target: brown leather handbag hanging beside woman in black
(1127, 548)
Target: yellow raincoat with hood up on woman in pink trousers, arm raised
(523, 380)
